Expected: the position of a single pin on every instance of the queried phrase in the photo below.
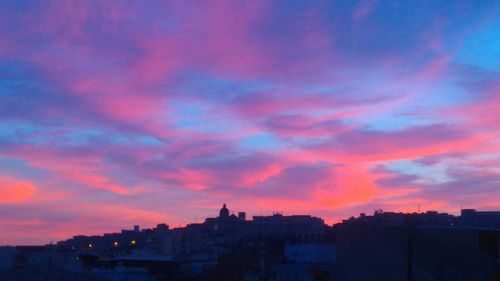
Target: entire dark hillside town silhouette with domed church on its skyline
(383, 246)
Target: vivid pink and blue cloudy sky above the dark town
(115, 113)
